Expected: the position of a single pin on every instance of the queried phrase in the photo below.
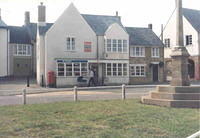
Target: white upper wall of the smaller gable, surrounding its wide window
(115, 31)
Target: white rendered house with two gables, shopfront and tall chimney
(77, 42)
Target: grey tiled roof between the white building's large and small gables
(100, 23)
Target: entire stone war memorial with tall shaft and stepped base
(179, 94)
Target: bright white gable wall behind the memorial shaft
(170, 32)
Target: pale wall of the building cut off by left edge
(3, 52)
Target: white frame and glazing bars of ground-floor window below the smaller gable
(117, 70)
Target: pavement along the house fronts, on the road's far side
(16, 87)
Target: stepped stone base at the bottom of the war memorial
(174, 96)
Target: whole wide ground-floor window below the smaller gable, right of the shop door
(116, 69)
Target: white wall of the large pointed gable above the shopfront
(69, 24)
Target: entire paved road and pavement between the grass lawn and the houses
(11, 93)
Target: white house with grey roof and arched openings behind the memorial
(191, 26)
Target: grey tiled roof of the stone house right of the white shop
(143, 37)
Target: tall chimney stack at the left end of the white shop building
(42, 14)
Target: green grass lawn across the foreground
(100, 119)
